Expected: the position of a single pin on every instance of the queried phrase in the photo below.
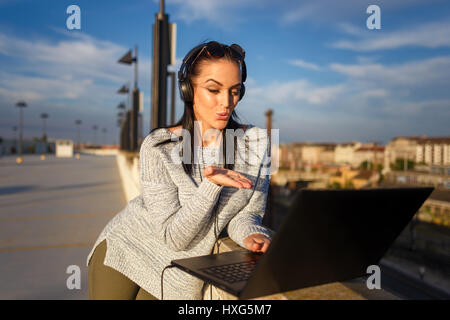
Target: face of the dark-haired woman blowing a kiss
(216, 93)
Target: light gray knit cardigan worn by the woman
(173, 217)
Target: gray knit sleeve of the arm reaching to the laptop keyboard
(248, 220)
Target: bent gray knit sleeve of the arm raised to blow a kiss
(173, 224)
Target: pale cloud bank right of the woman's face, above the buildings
(374, 102)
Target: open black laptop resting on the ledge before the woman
(327, 236)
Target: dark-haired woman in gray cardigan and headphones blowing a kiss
(186, 202)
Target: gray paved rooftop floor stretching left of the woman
(51, 212)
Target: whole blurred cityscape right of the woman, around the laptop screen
(403, 162)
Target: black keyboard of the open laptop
(232, 272)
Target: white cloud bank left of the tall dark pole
(72, 68)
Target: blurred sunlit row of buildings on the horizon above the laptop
(429, 155)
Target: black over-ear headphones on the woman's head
(184, 84)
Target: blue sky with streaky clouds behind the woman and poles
(325, 75)
